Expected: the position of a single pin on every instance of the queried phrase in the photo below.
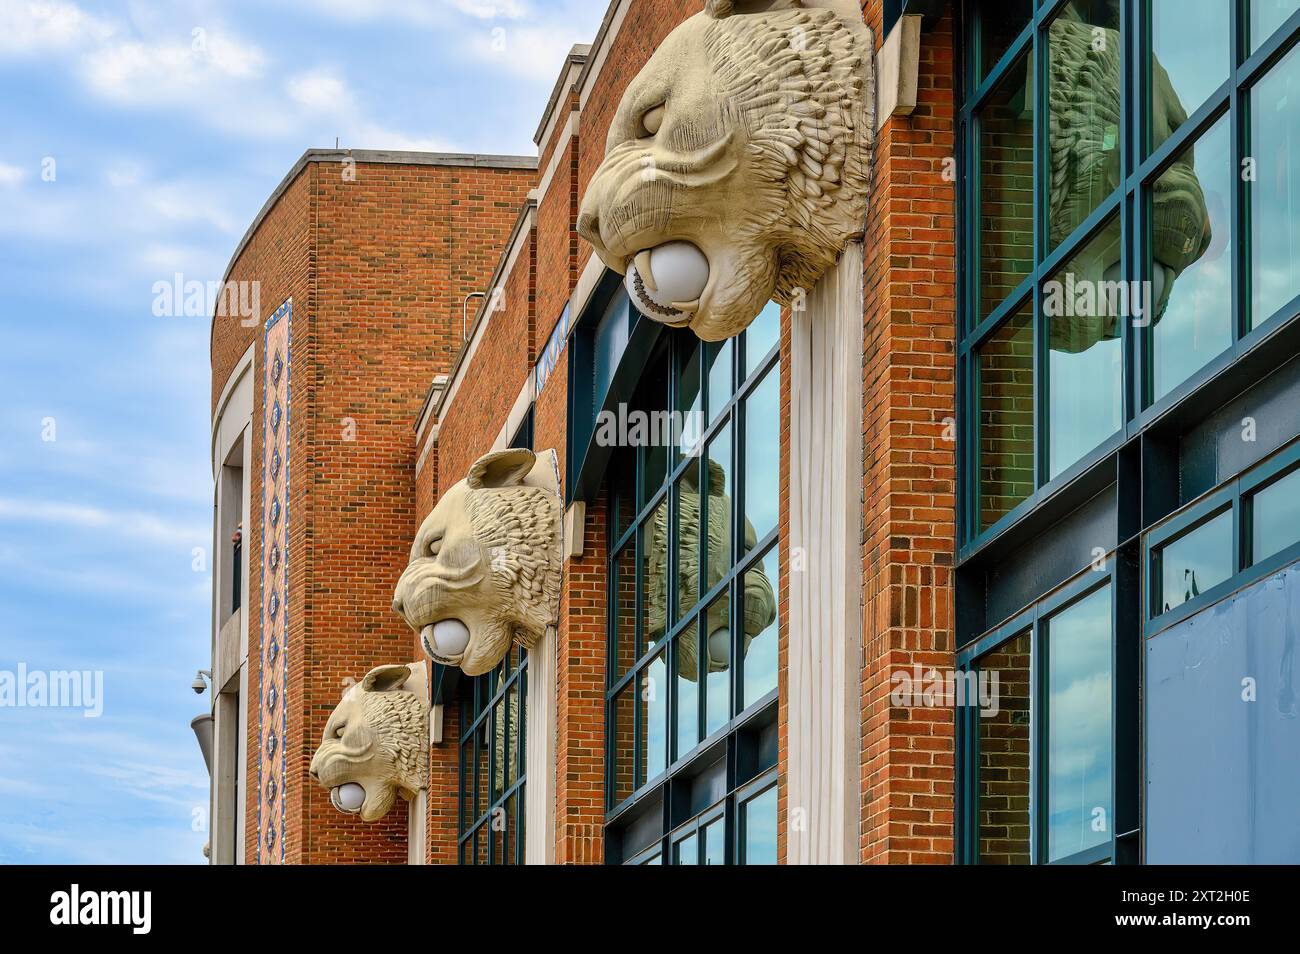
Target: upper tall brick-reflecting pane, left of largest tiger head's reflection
(1007, 188)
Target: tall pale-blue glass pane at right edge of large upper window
(1276, 189)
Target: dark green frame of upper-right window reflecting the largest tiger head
(1126, 205)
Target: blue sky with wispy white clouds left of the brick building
(138, 142)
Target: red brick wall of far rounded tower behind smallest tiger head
(378, 267)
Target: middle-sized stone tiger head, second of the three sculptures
(486, 566)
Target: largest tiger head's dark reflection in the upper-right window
(1085, 167)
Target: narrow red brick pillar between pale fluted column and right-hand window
(909, 467)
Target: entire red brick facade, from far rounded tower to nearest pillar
(380, 268)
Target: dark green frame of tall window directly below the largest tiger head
(739, 757)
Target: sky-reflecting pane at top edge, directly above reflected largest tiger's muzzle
(1189, 60)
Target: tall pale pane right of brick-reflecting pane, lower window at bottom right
(1080, 727)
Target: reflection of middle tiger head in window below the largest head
(760, 600)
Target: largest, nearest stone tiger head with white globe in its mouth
(742, 154)
